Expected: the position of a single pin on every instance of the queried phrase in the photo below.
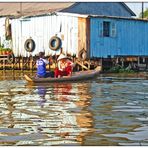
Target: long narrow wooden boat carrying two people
(76, 76)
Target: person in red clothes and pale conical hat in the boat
(65, 66)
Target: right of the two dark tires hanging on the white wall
(54, 43)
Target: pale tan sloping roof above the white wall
(18, 9)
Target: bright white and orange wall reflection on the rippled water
(55, 114)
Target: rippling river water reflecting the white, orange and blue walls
(109, 110)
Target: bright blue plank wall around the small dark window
(129, 38)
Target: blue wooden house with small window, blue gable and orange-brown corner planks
(110, 30)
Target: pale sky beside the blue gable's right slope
(137, 7)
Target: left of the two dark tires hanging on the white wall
(29, 45)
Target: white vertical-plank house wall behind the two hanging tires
(41, 29)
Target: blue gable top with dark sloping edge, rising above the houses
(100, 8)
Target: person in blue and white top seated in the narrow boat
(41, 67)
